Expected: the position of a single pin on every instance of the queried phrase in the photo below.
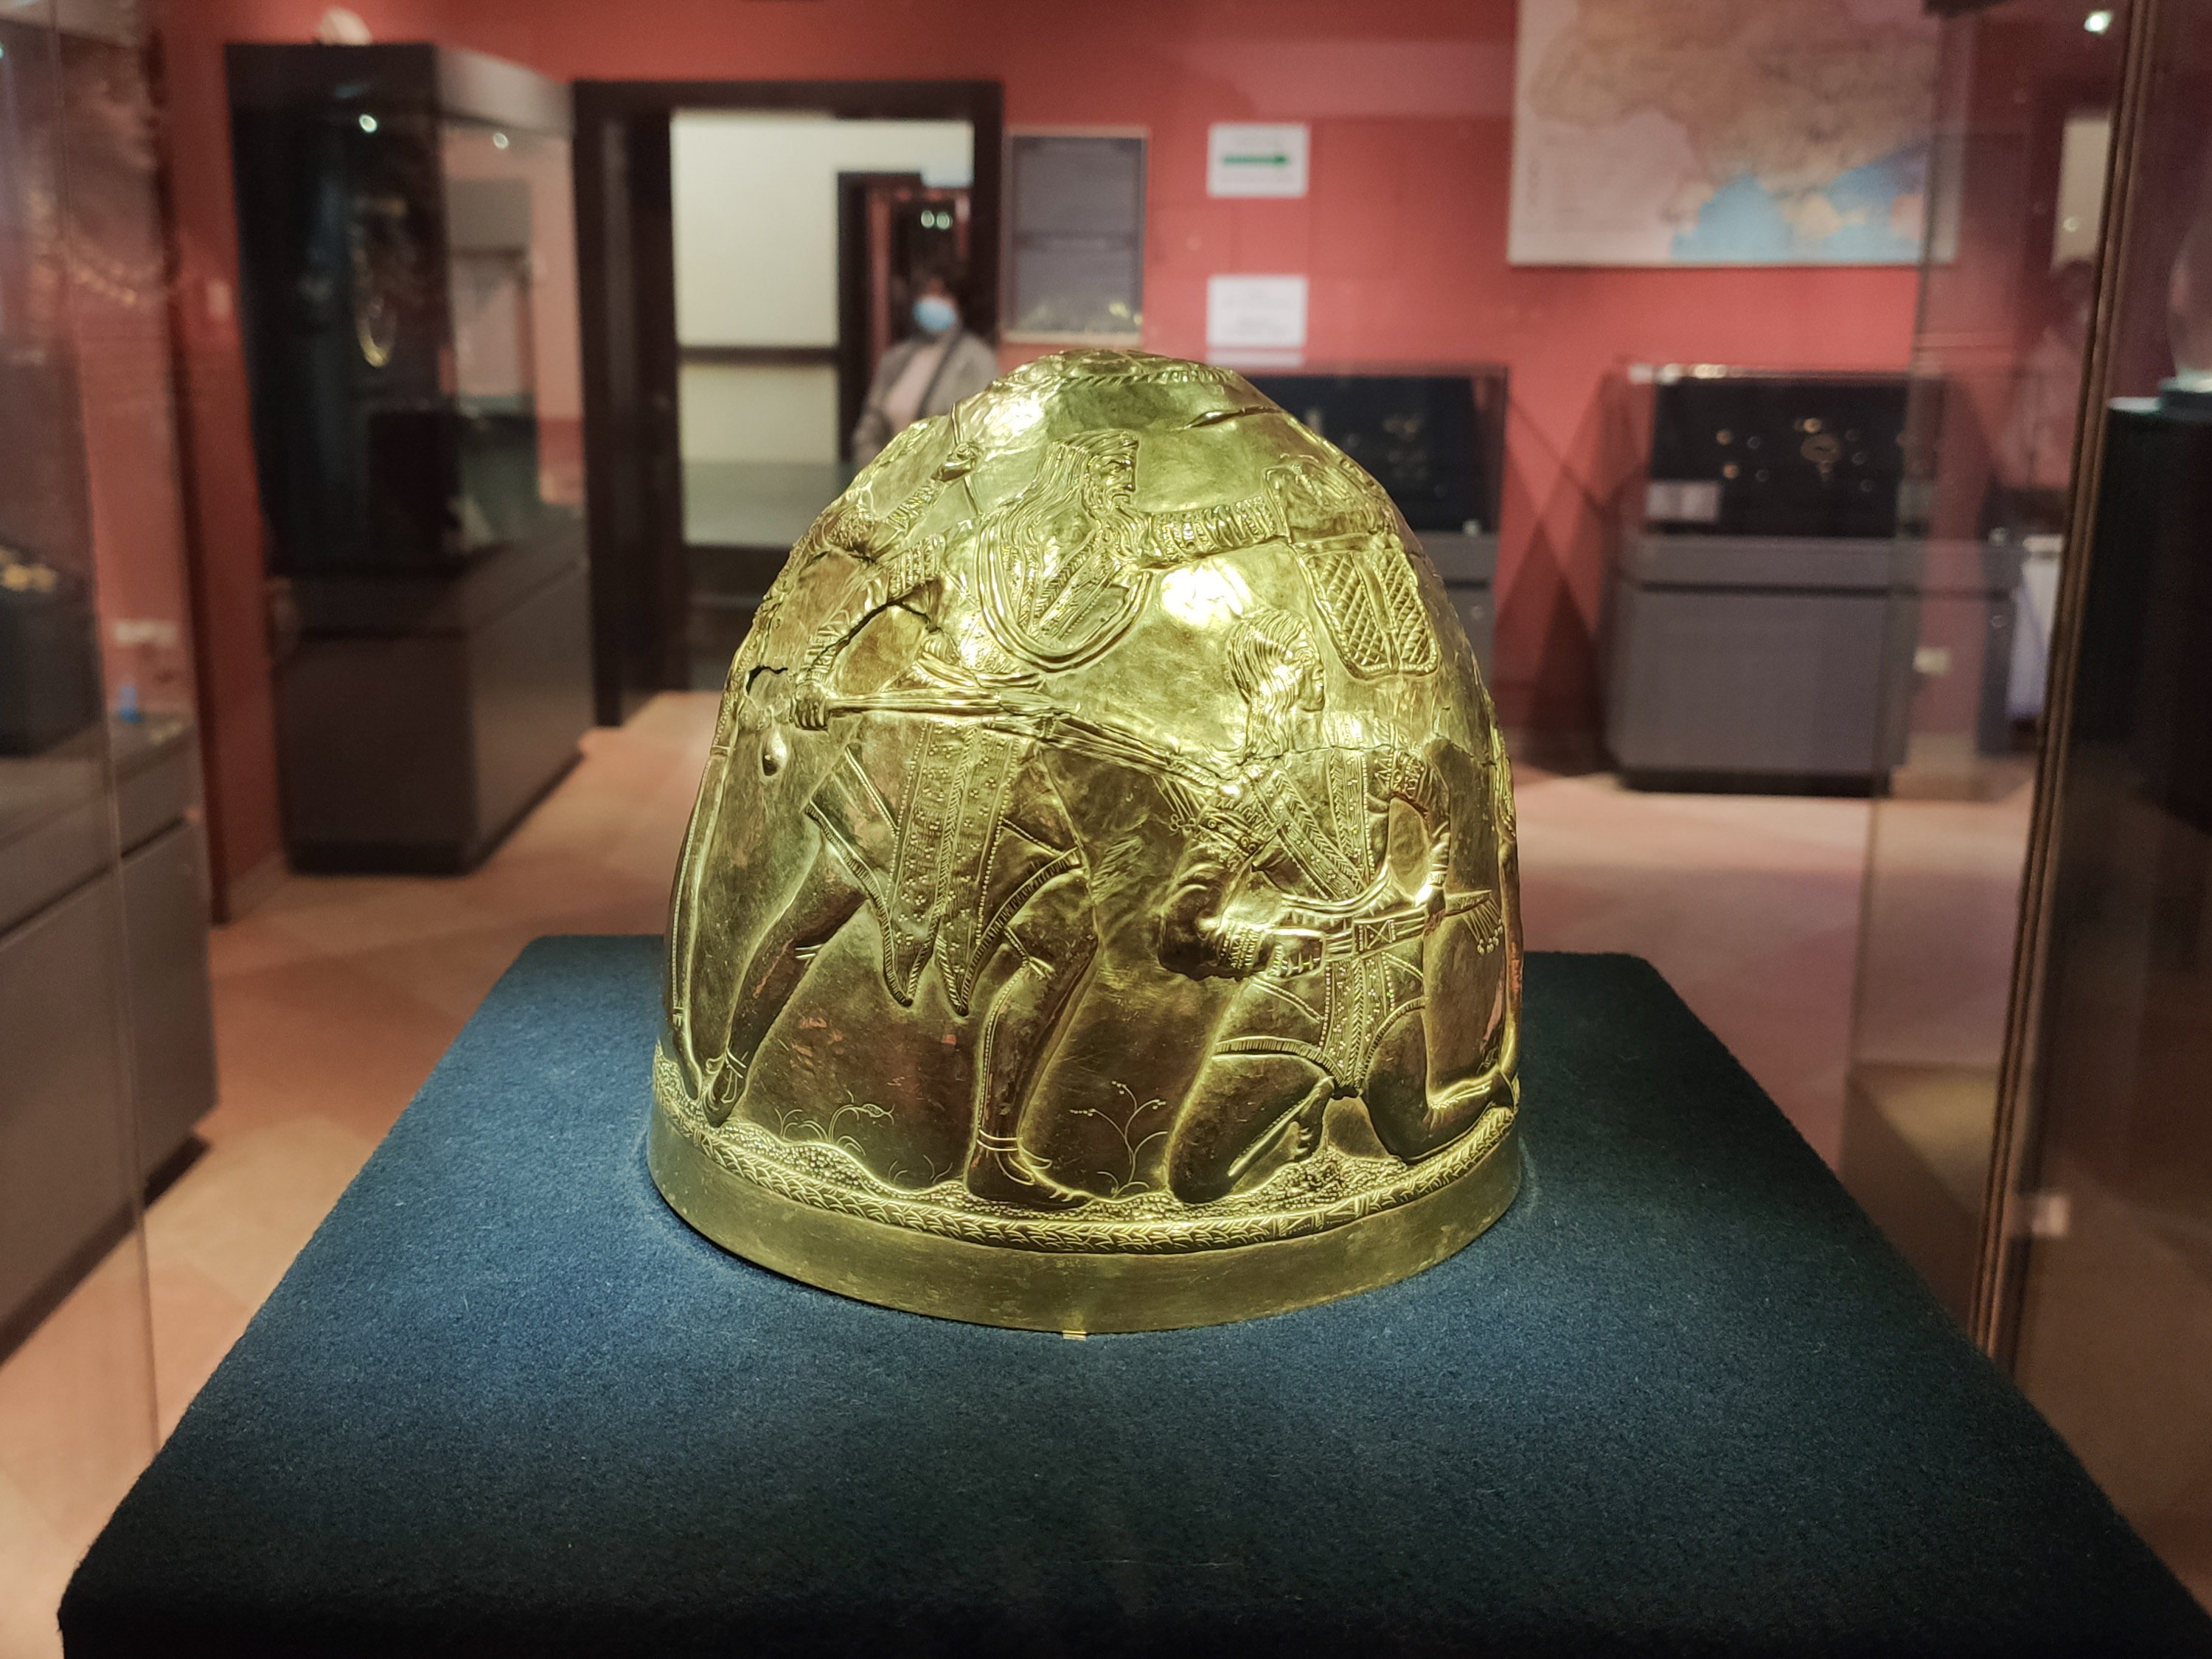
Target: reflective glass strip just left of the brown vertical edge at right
(1999, 366)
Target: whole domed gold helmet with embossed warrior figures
(1100, 910)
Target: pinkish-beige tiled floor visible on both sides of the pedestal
(340, 994)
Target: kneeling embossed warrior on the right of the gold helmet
(1288, 886)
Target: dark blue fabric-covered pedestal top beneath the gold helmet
(1680, 1399)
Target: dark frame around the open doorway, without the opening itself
(627, 291)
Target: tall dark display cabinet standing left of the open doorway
(408, 262)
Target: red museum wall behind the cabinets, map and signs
(1404, 238)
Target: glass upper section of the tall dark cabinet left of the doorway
(415, 333)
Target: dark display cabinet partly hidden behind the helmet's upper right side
(1437, 441)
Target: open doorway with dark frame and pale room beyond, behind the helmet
(747, 255)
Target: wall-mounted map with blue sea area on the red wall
(1722, 132)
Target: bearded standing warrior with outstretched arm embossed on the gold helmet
(943, 824)
